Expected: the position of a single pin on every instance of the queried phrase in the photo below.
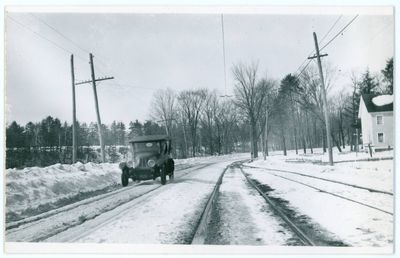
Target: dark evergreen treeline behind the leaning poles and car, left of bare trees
(50, 141)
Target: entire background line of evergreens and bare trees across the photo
(262, 114)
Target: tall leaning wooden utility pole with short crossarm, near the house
(324, 101)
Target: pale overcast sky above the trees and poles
(146, 52)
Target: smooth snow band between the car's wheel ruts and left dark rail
(168, 215)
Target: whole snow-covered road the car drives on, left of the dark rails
(140, 213)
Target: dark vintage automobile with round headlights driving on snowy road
(150, 159)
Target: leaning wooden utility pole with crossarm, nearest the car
(93, 82)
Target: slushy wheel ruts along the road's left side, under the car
(39, 221)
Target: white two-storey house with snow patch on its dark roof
(377, 126)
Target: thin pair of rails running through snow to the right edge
(375, 191)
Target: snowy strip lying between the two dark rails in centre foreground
(243, 217)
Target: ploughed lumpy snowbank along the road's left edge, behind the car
(32, 190)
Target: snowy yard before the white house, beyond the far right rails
(371, 174)
